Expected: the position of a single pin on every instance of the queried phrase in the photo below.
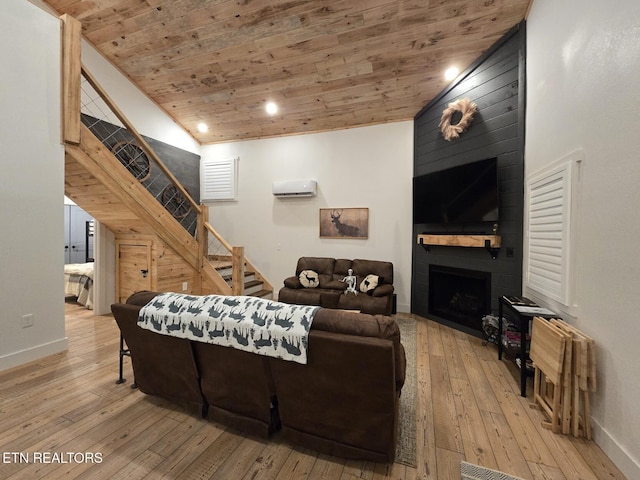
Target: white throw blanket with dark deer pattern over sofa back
(256, 325)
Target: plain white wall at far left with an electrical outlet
(31, 185)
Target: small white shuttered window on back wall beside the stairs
(218, 178)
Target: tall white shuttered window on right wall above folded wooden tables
(550, 201)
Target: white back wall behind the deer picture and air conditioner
(361, 167)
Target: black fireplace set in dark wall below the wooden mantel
(459, 295)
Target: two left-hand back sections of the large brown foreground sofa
(231, 386)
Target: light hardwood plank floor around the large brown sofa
(468, 408)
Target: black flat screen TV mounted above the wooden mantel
(459, 195)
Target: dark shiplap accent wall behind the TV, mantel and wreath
(496, 84)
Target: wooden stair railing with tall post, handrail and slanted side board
(85, 148)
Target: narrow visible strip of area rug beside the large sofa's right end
(406, 447)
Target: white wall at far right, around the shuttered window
(583, 66)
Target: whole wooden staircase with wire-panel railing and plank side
(112, 190)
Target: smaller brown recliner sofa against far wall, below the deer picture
(329, 290)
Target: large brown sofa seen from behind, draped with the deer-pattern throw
(343, 402)
